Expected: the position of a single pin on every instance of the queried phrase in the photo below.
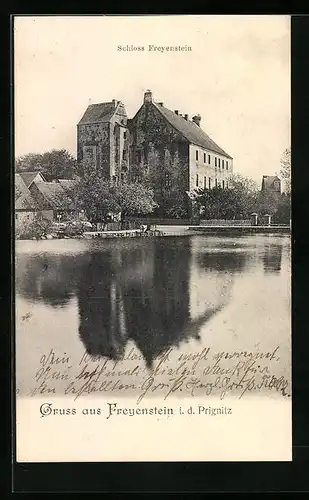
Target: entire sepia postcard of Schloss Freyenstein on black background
(152, 216)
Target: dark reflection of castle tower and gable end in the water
(139, 293)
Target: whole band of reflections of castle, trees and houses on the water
(156, 292)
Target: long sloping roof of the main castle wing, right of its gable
(192, 132)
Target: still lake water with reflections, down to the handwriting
(145, 296)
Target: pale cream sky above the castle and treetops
(237, 77)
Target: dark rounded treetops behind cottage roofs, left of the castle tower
(53, 164)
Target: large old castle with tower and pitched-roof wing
(162, 146)
